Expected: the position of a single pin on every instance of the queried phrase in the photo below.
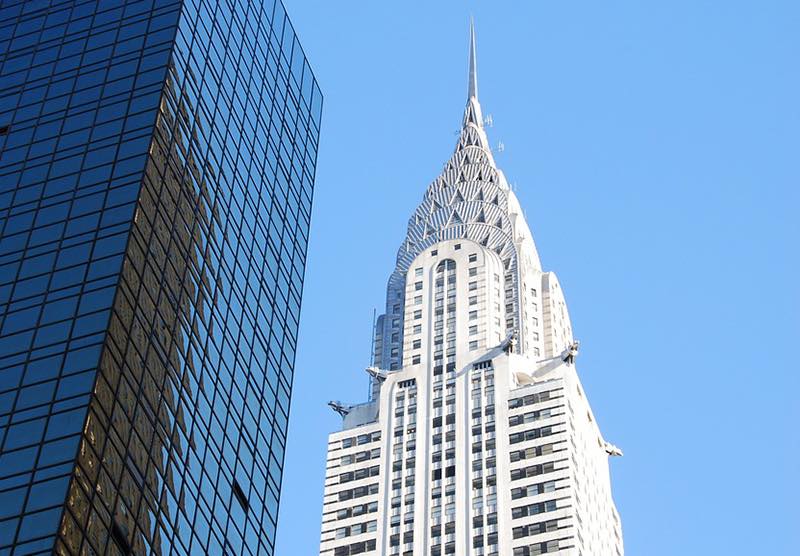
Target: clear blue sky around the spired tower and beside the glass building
(655, 147)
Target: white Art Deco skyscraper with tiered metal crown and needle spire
(478, 438)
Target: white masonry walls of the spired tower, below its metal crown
(472, 450)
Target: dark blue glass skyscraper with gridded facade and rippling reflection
(157, 161)
